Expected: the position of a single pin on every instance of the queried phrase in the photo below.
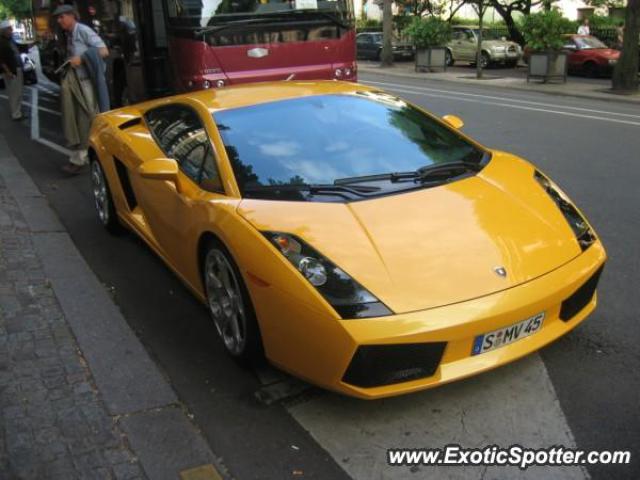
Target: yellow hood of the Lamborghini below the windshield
(435, 246)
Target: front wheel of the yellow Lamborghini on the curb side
(229, 305)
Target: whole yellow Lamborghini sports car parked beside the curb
(351, 238)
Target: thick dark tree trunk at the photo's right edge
(625, 74)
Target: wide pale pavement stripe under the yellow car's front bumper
(515, 404)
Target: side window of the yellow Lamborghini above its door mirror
(180, 134)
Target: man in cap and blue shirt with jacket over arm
(80, 95)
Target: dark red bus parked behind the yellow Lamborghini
(165, 46)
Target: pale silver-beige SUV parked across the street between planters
(464, 42)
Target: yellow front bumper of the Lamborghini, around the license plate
(324, 357)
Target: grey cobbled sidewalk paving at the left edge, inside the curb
(53, 424)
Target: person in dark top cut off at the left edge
(11, 68)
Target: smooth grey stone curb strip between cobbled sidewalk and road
(132, 388)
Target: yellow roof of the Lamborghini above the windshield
(244, 95)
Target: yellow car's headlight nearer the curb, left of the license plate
(344, 294)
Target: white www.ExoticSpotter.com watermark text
(515, 455)
